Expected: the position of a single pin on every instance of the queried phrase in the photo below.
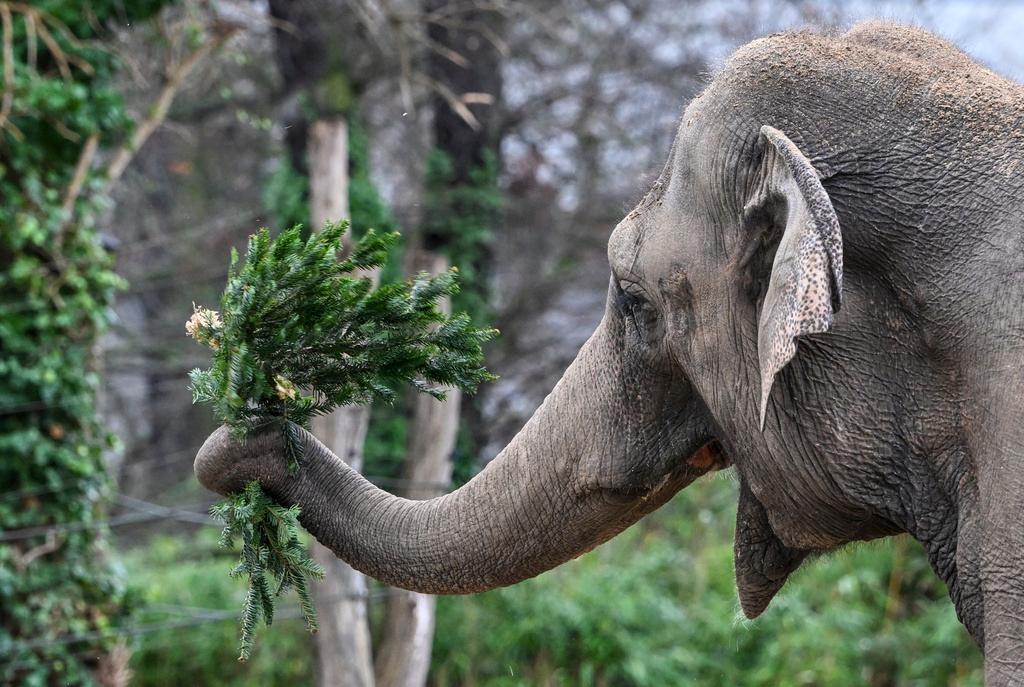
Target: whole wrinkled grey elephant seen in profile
(837, 237)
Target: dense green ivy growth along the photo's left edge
(59, 107)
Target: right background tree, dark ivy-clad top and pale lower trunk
(461, 204)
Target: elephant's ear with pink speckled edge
(806, 285)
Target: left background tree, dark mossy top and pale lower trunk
(307, 42)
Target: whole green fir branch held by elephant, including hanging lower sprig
(301, 333)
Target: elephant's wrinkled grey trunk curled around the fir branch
(526, 513)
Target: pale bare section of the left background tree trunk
(344, 647)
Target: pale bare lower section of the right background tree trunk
(407, 639)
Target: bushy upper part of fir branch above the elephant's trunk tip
(302, 336)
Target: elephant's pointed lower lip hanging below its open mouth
(763, 563)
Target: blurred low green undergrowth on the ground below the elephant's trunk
(655, 607)
